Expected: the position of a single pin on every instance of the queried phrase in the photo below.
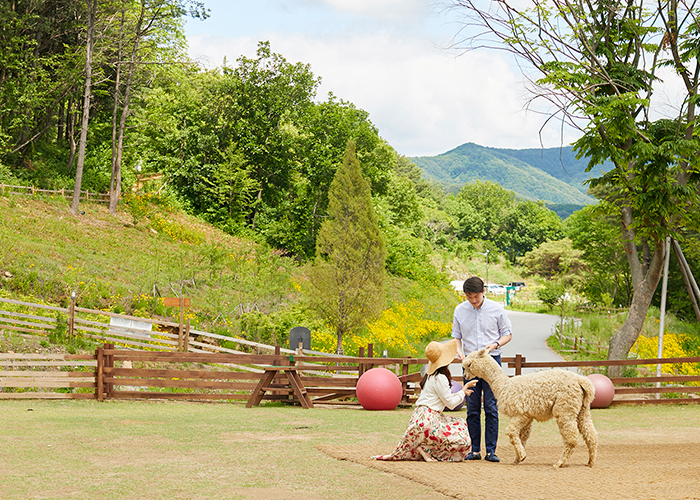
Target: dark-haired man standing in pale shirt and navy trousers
(480, 322)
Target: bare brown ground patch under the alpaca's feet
(623, 471)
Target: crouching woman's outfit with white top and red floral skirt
(445, 438)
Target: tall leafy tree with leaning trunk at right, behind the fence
(597, 64)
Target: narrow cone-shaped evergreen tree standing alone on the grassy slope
(348, 275)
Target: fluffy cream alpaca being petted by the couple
(563, 395)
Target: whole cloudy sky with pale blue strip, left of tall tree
(390, 58)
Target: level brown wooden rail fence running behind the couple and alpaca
(129, 374)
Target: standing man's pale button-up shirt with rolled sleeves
(478, 328)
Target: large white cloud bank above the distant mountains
(423, 100)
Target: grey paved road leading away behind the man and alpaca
(530, 332)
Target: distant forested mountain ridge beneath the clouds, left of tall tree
(553, 175)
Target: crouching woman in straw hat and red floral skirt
(431, 435)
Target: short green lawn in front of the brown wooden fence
(176, 450)
